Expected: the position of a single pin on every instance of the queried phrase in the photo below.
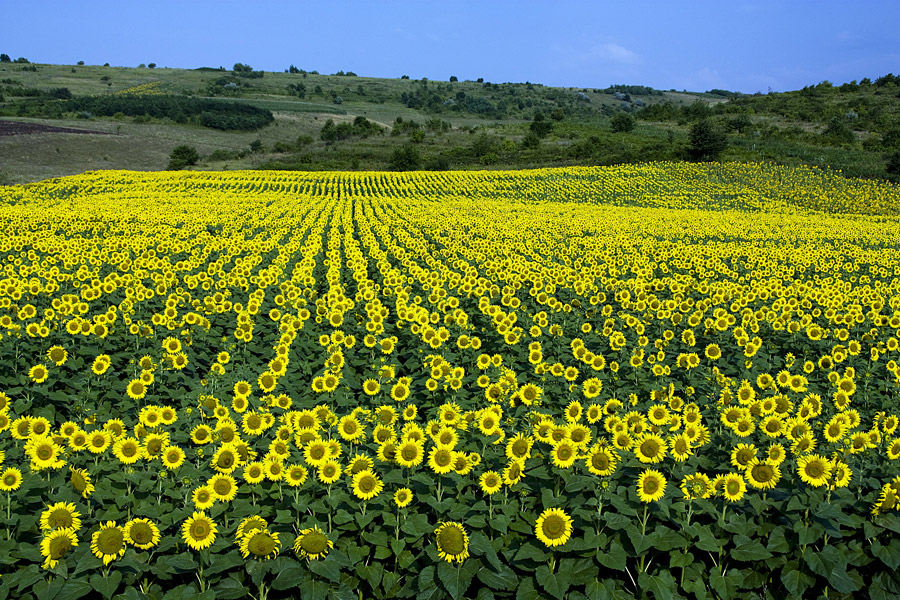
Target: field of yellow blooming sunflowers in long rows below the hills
(663, 380)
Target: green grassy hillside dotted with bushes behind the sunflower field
(402, 123)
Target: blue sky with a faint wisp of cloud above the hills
(697, 45)
